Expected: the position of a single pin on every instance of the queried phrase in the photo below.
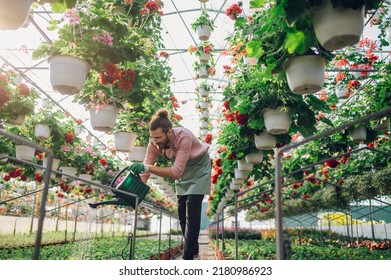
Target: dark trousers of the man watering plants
(189, 212)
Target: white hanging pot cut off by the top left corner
(13, 13)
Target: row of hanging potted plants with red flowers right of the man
(276, 35)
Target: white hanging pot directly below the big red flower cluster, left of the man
(103, 119)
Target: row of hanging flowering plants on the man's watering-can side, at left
(120, 76)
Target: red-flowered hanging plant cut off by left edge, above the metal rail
(17, 100)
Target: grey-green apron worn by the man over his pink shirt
(196, 178)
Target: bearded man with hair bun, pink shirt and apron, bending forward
(191, 170)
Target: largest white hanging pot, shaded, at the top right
(336, 28)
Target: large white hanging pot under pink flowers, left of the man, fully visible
(68, 74)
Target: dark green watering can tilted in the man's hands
(132, 184)
